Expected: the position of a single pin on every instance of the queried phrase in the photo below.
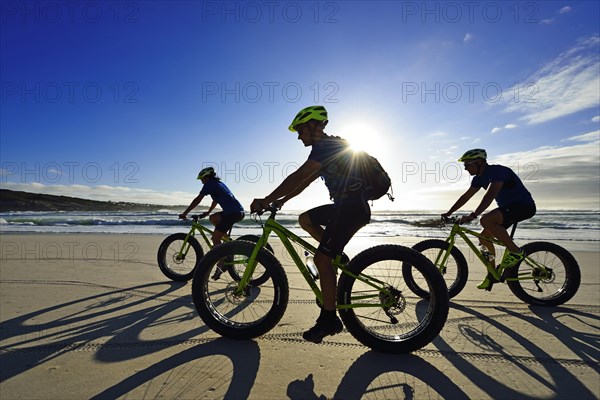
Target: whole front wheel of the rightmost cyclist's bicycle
(455, 271)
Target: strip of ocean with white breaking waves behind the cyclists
(569, 225)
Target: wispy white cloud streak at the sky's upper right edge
(568, 84)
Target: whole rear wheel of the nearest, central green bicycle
(408, 323)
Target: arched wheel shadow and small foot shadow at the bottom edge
(389, 373)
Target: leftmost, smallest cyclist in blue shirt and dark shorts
(223, 220)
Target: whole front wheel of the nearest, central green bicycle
(240, 315)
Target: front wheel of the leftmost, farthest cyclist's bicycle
(174, 265)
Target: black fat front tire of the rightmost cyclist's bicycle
(455, 285)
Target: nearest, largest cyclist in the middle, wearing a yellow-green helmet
(332, 225)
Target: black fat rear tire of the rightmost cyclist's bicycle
(569, 273)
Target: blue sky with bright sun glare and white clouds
(128, 100)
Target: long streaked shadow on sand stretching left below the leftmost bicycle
(117, 314)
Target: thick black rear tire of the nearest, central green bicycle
(436, 306)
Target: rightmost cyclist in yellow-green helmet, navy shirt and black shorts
(515, 204)
